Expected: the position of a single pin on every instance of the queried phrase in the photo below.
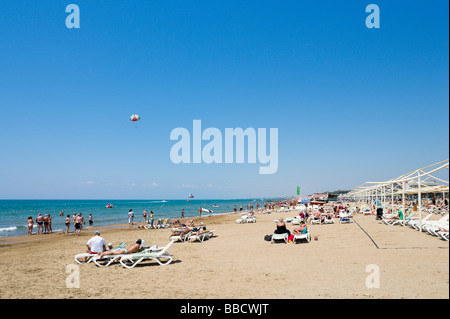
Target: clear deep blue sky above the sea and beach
(351, 104)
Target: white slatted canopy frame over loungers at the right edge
(418, 182)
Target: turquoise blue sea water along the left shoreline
(14, 213)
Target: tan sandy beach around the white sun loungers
(237, 263)
